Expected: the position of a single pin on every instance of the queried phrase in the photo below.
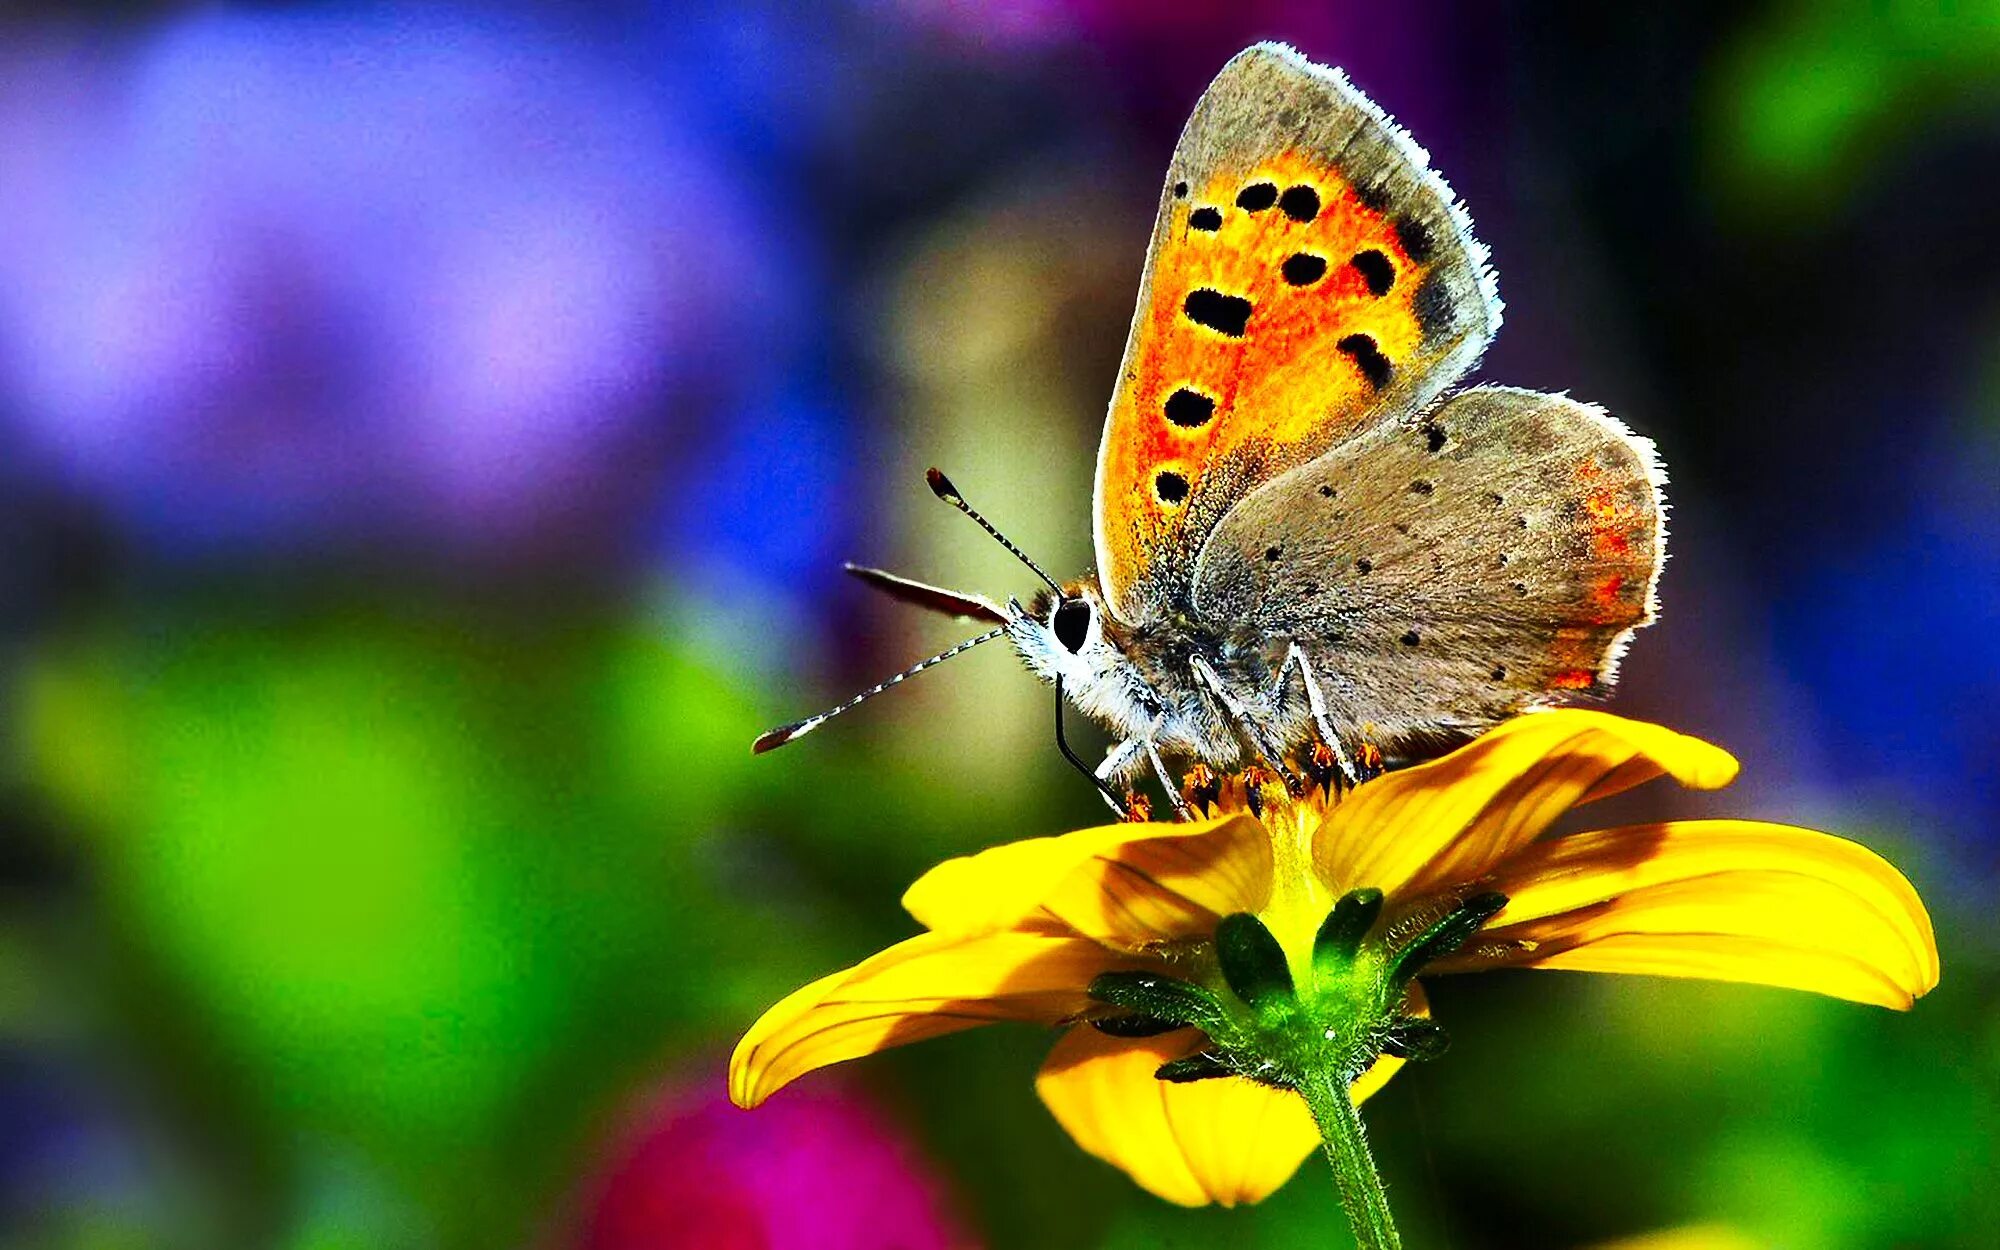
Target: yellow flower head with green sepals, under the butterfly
(1031, 929)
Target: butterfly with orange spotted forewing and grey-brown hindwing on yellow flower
(1305, 547)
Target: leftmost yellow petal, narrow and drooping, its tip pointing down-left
(919, 989)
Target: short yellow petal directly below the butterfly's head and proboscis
(1123, 883)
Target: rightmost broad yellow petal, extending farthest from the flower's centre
(1715, 899)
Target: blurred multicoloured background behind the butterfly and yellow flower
(429, 437)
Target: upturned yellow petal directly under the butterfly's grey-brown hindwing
(1447, 823)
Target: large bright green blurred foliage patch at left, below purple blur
(429, 889)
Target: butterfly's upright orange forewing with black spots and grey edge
(1307, 279)
